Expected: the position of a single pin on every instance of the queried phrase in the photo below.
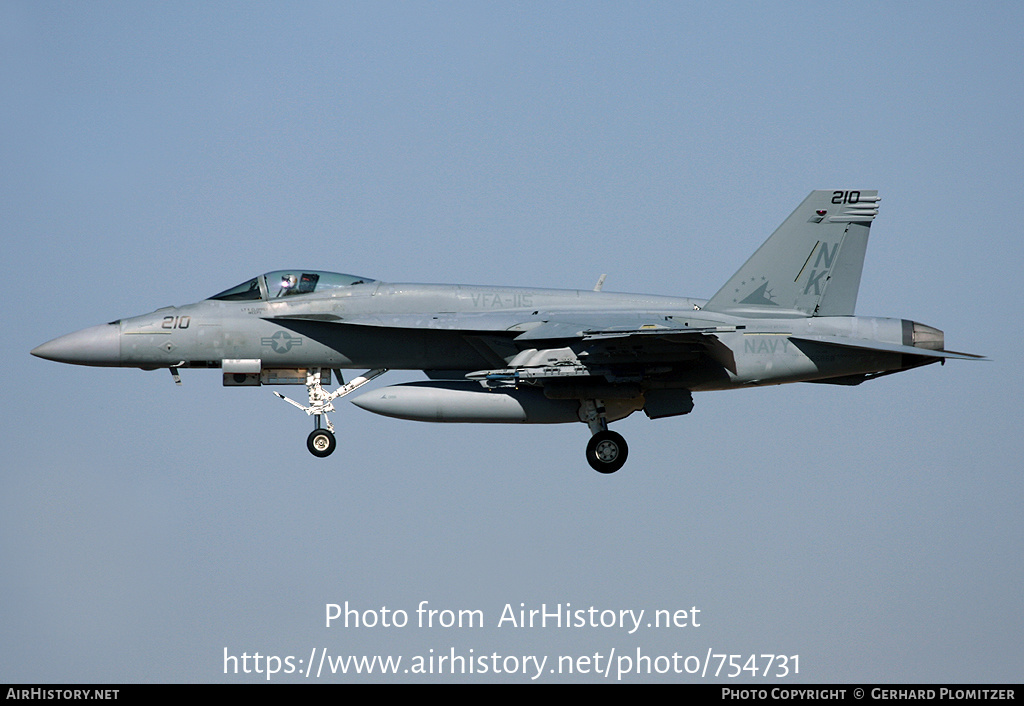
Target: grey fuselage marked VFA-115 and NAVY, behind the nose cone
(439, 327)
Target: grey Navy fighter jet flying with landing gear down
(539, 356)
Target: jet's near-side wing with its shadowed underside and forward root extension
(571, 355)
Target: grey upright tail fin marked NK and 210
(813, 263)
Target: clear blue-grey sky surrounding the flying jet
(156, 154)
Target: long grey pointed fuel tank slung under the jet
(456, 401)
